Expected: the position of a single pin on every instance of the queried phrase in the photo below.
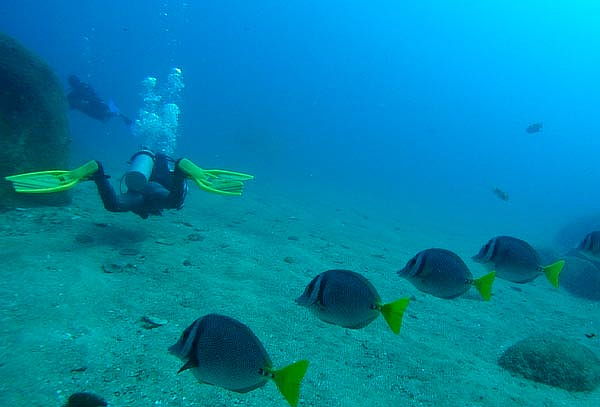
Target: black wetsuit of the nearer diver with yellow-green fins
(166, 189)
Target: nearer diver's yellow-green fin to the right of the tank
(216, 181)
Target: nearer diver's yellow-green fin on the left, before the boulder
(43, 182)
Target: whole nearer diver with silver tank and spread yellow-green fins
(154, 182)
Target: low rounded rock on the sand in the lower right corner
(555, 361)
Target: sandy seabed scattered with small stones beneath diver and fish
(75, 283)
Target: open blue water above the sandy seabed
(400, 108)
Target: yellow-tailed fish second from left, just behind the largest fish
(347, 299)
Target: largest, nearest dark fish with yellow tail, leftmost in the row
(223, 352)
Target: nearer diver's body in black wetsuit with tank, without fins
(164, 189)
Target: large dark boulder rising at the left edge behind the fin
(34, 129)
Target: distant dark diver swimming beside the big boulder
(83, 97)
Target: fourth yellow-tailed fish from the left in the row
(516, 260)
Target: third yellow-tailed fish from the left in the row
(443, 274)
